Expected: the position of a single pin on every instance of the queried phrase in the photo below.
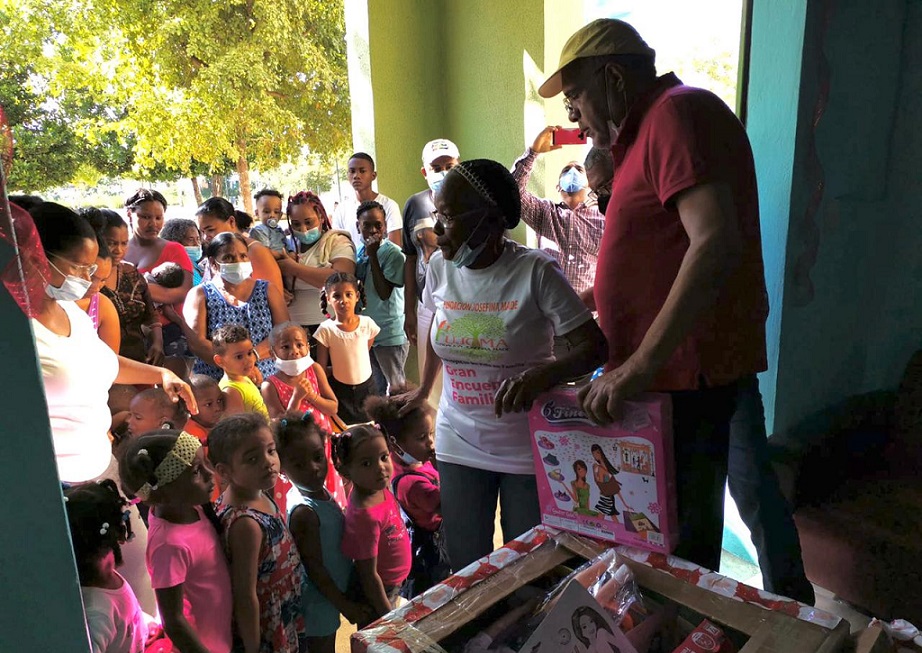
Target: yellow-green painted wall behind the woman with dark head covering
(459, 69)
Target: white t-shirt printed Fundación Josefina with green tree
(491, 324)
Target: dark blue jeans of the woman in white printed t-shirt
(469, 509)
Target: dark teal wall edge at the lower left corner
(40, 606)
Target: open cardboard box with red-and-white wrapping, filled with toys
(653, 598)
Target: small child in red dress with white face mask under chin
(301, 385)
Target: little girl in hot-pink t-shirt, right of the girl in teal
(374, 534)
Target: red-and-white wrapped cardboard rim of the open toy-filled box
(772, 624)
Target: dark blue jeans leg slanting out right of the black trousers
(754, 487)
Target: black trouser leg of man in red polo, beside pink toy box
(701, 439)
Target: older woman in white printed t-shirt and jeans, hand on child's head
(497, 307)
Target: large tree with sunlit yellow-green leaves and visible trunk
(253, 81)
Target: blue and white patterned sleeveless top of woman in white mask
(254, 314)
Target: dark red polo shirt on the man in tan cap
(674, 138)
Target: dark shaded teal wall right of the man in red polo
(853, 325)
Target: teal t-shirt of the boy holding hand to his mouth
(387, 314)
